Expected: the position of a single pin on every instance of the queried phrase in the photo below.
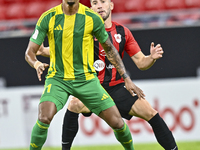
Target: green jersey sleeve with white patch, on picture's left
(40, 31)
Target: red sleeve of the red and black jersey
(131, 46)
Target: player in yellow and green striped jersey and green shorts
(70, 28)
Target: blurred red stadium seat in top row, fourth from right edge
(134, 5)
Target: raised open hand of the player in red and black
(156, 52)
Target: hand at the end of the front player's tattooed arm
(133, 89)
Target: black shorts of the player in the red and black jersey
(122, 98)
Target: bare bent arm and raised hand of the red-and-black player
(145, 62)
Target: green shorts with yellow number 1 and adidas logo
(90, 92)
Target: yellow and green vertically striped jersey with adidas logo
(71, 41)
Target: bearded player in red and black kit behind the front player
(110, 79)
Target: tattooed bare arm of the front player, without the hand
(114, 57)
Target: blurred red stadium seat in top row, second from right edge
(174, 4)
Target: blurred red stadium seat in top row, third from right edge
(154, 5)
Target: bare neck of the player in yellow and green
(70, 10)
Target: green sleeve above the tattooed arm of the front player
(99, 29)
